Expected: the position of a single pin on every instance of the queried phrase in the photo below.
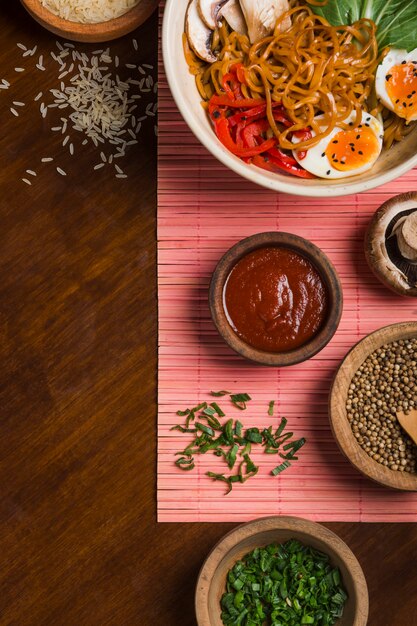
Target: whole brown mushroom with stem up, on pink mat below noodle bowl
(391, 244)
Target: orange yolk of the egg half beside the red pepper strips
(352, 149)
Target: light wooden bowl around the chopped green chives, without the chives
(212, 579)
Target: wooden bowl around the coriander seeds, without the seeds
(338, 414)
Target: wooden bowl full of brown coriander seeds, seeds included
(377, 379)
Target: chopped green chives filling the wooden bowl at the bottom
(290, 584)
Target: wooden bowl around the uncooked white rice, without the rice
(93, 33)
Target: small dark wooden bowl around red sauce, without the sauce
(321, 263)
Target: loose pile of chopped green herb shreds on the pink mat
(231, 441)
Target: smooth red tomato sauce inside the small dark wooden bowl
(275, 299)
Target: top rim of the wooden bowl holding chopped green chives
(287, 523)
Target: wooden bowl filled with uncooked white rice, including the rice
(94, 31)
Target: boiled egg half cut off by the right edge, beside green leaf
(396, 83)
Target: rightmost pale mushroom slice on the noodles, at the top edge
(261, 17)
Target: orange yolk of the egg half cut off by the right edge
(401, 86)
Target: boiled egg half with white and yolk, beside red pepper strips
(344, 152)
